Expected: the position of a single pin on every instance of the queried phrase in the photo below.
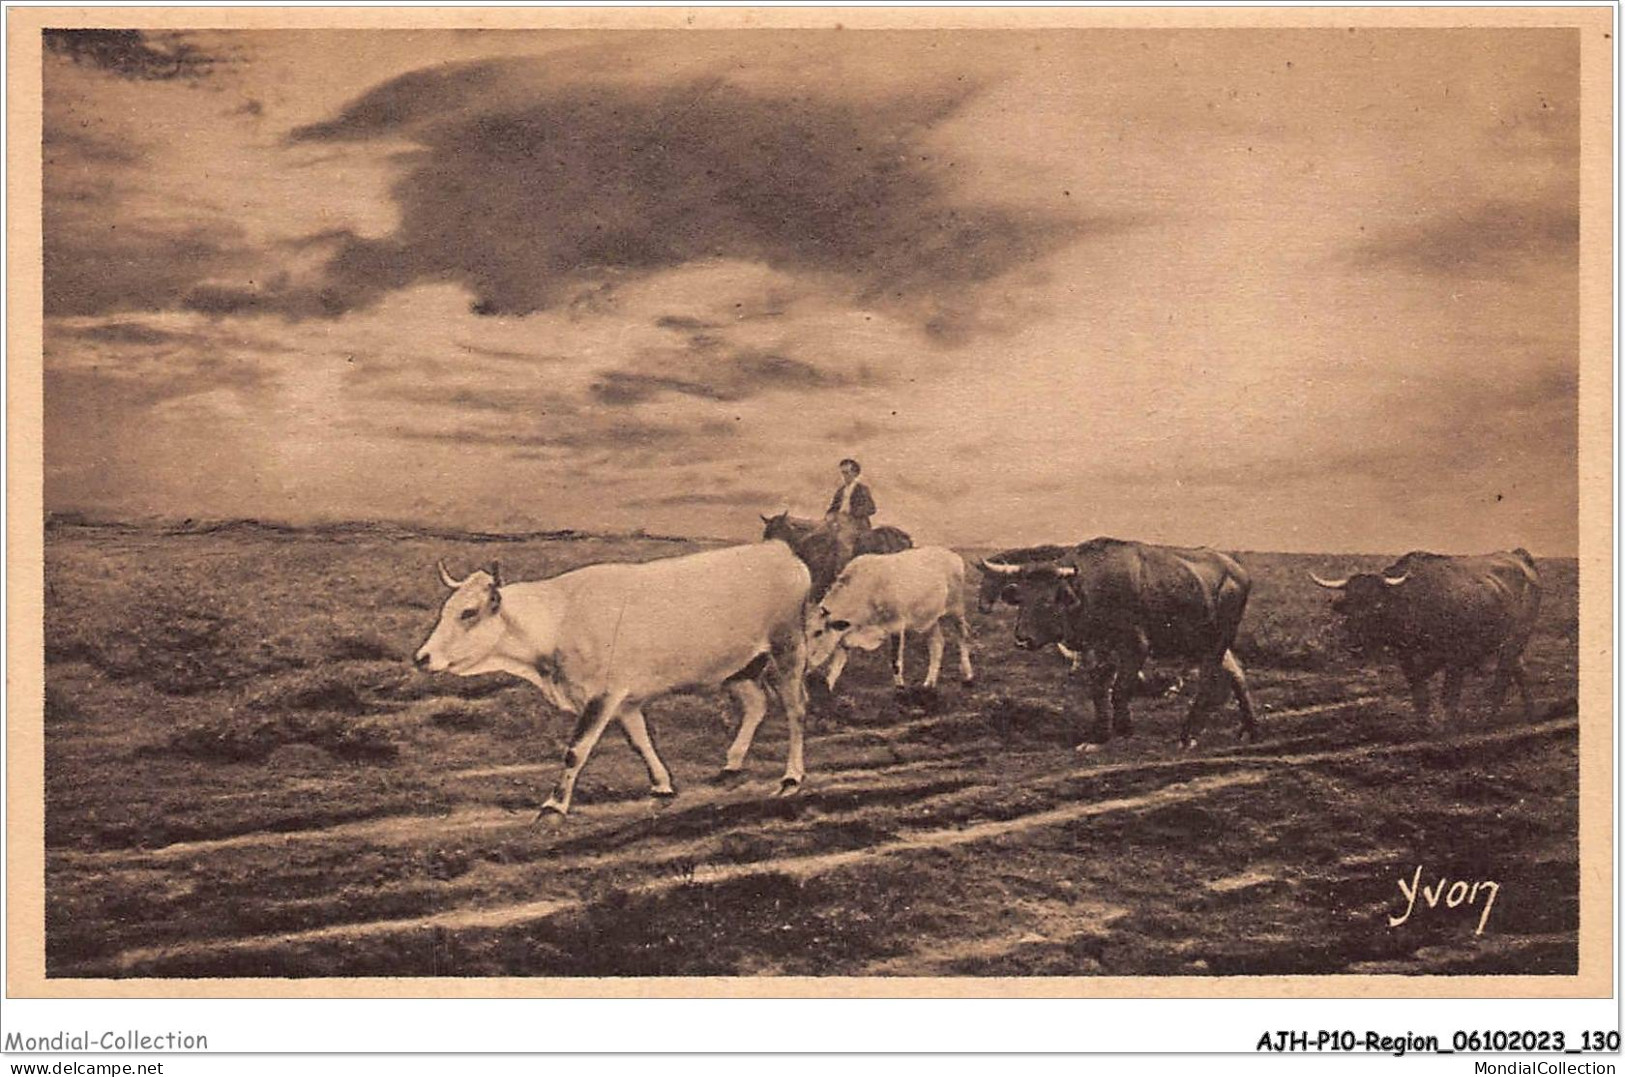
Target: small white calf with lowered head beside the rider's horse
(890, 595)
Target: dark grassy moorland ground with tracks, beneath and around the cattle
(245, 777)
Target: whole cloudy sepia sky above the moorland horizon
(1263, 290)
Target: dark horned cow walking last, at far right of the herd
(1445, 613)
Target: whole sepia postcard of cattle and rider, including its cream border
(938, 506)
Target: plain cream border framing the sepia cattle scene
(25, 475)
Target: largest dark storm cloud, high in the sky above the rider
(531, 197)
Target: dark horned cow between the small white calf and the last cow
(1132, 602)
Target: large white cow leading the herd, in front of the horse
(604, 641)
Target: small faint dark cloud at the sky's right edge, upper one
(1491, 240)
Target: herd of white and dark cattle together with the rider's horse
(604, 641)
